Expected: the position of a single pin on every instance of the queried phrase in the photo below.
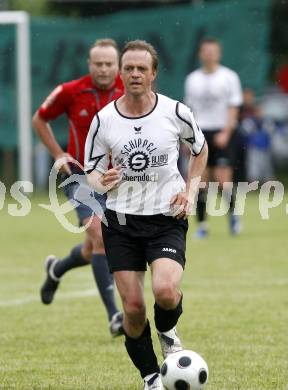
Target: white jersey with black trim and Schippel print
(147, 148)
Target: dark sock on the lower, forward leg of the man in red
(105, 283)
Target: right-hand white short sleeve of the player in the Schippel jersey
(190, 133)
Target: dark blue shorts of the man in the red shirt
(87, 202)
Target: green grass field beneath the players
(235, 309)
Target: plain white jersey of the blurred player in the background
(210, 95)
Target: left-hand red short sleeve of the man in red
(55, 104)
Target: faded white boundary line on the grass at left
(60, 297)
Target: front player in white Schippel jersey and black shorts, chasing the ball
(148, 201)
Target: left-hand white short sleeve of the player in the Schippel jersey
(96, 149)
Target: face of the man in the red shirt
(103, 66)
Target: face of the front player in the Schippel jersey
(137, 72)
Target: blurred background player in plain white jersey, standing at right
(214, 94)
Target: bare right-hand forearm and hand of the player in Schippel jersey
(182, 203)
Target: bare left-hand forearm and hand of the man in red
(45, 133)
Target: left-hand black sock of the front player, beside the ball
(141, 352)
